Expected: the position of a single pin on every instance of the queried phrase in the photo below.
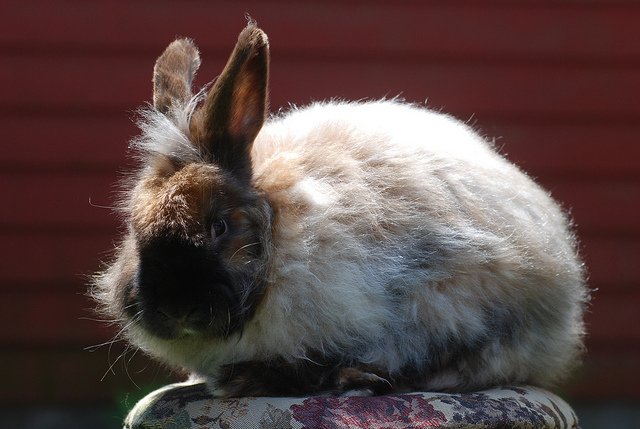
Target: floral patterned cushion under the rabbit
(185, 405)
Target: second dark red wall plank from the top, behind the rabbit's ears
(509, 91)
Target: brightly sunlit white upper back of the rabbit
(394, 169)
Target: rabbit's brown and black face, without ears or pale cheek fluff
(200, 239)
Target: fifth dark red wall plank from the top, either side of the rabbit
(38, 259)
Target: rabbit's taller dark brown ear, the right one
(235, 108)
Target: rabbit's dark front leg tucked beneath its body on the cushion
(282, 378)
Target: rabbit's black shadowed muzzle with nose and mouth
(180, 290)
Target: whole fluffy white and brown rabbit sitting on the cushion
(372, 246)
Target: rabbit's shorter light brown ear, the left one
(173, 74)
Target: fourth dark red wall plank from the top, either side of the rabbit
(83, 202)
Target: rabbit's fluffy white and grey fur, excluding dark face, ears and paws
(399, 236)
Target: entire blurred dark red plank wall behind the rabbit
(556, 83)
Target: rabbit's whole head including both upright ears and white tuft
(195, 259)
